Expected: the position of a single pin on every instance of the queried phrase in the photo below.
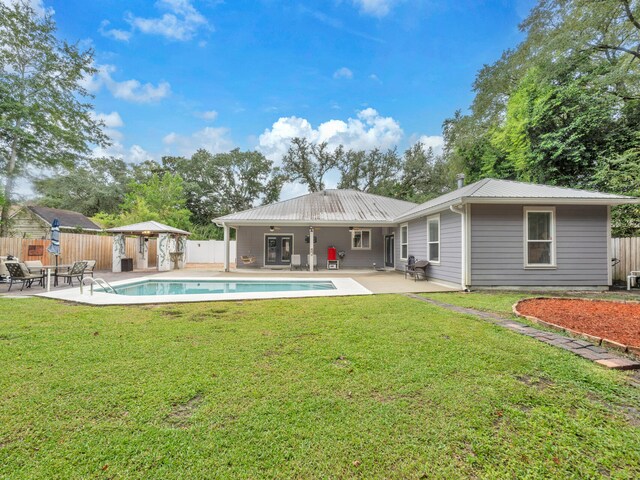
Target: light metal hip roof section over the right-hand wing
(490, 190)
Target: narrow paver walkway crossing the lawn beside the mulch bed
(581, 348)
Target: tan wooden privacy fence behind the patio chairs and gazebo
(74, 246)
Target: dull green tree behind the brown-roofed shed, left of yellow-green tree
(98, 185)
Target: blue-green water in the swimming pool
(196, 287)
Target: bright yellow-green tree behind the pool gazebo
(161, 198)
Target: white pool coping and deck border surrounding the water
(344, 287)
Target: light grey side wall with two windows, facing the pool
(450, 265)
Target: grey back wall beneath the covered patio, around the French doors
(250, 241)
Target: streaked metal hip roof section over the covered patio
(347, 207)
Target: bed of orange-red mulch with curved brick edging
(615, 321)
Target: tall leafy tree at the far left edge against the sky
(44, 121)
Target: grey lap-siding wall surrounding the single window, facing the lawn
(497, 247)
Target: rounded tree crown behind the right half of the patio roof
(374, 171)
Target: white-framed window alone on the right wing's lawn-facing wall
(539, 237)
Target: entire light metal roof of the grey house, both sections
(351, 207)
